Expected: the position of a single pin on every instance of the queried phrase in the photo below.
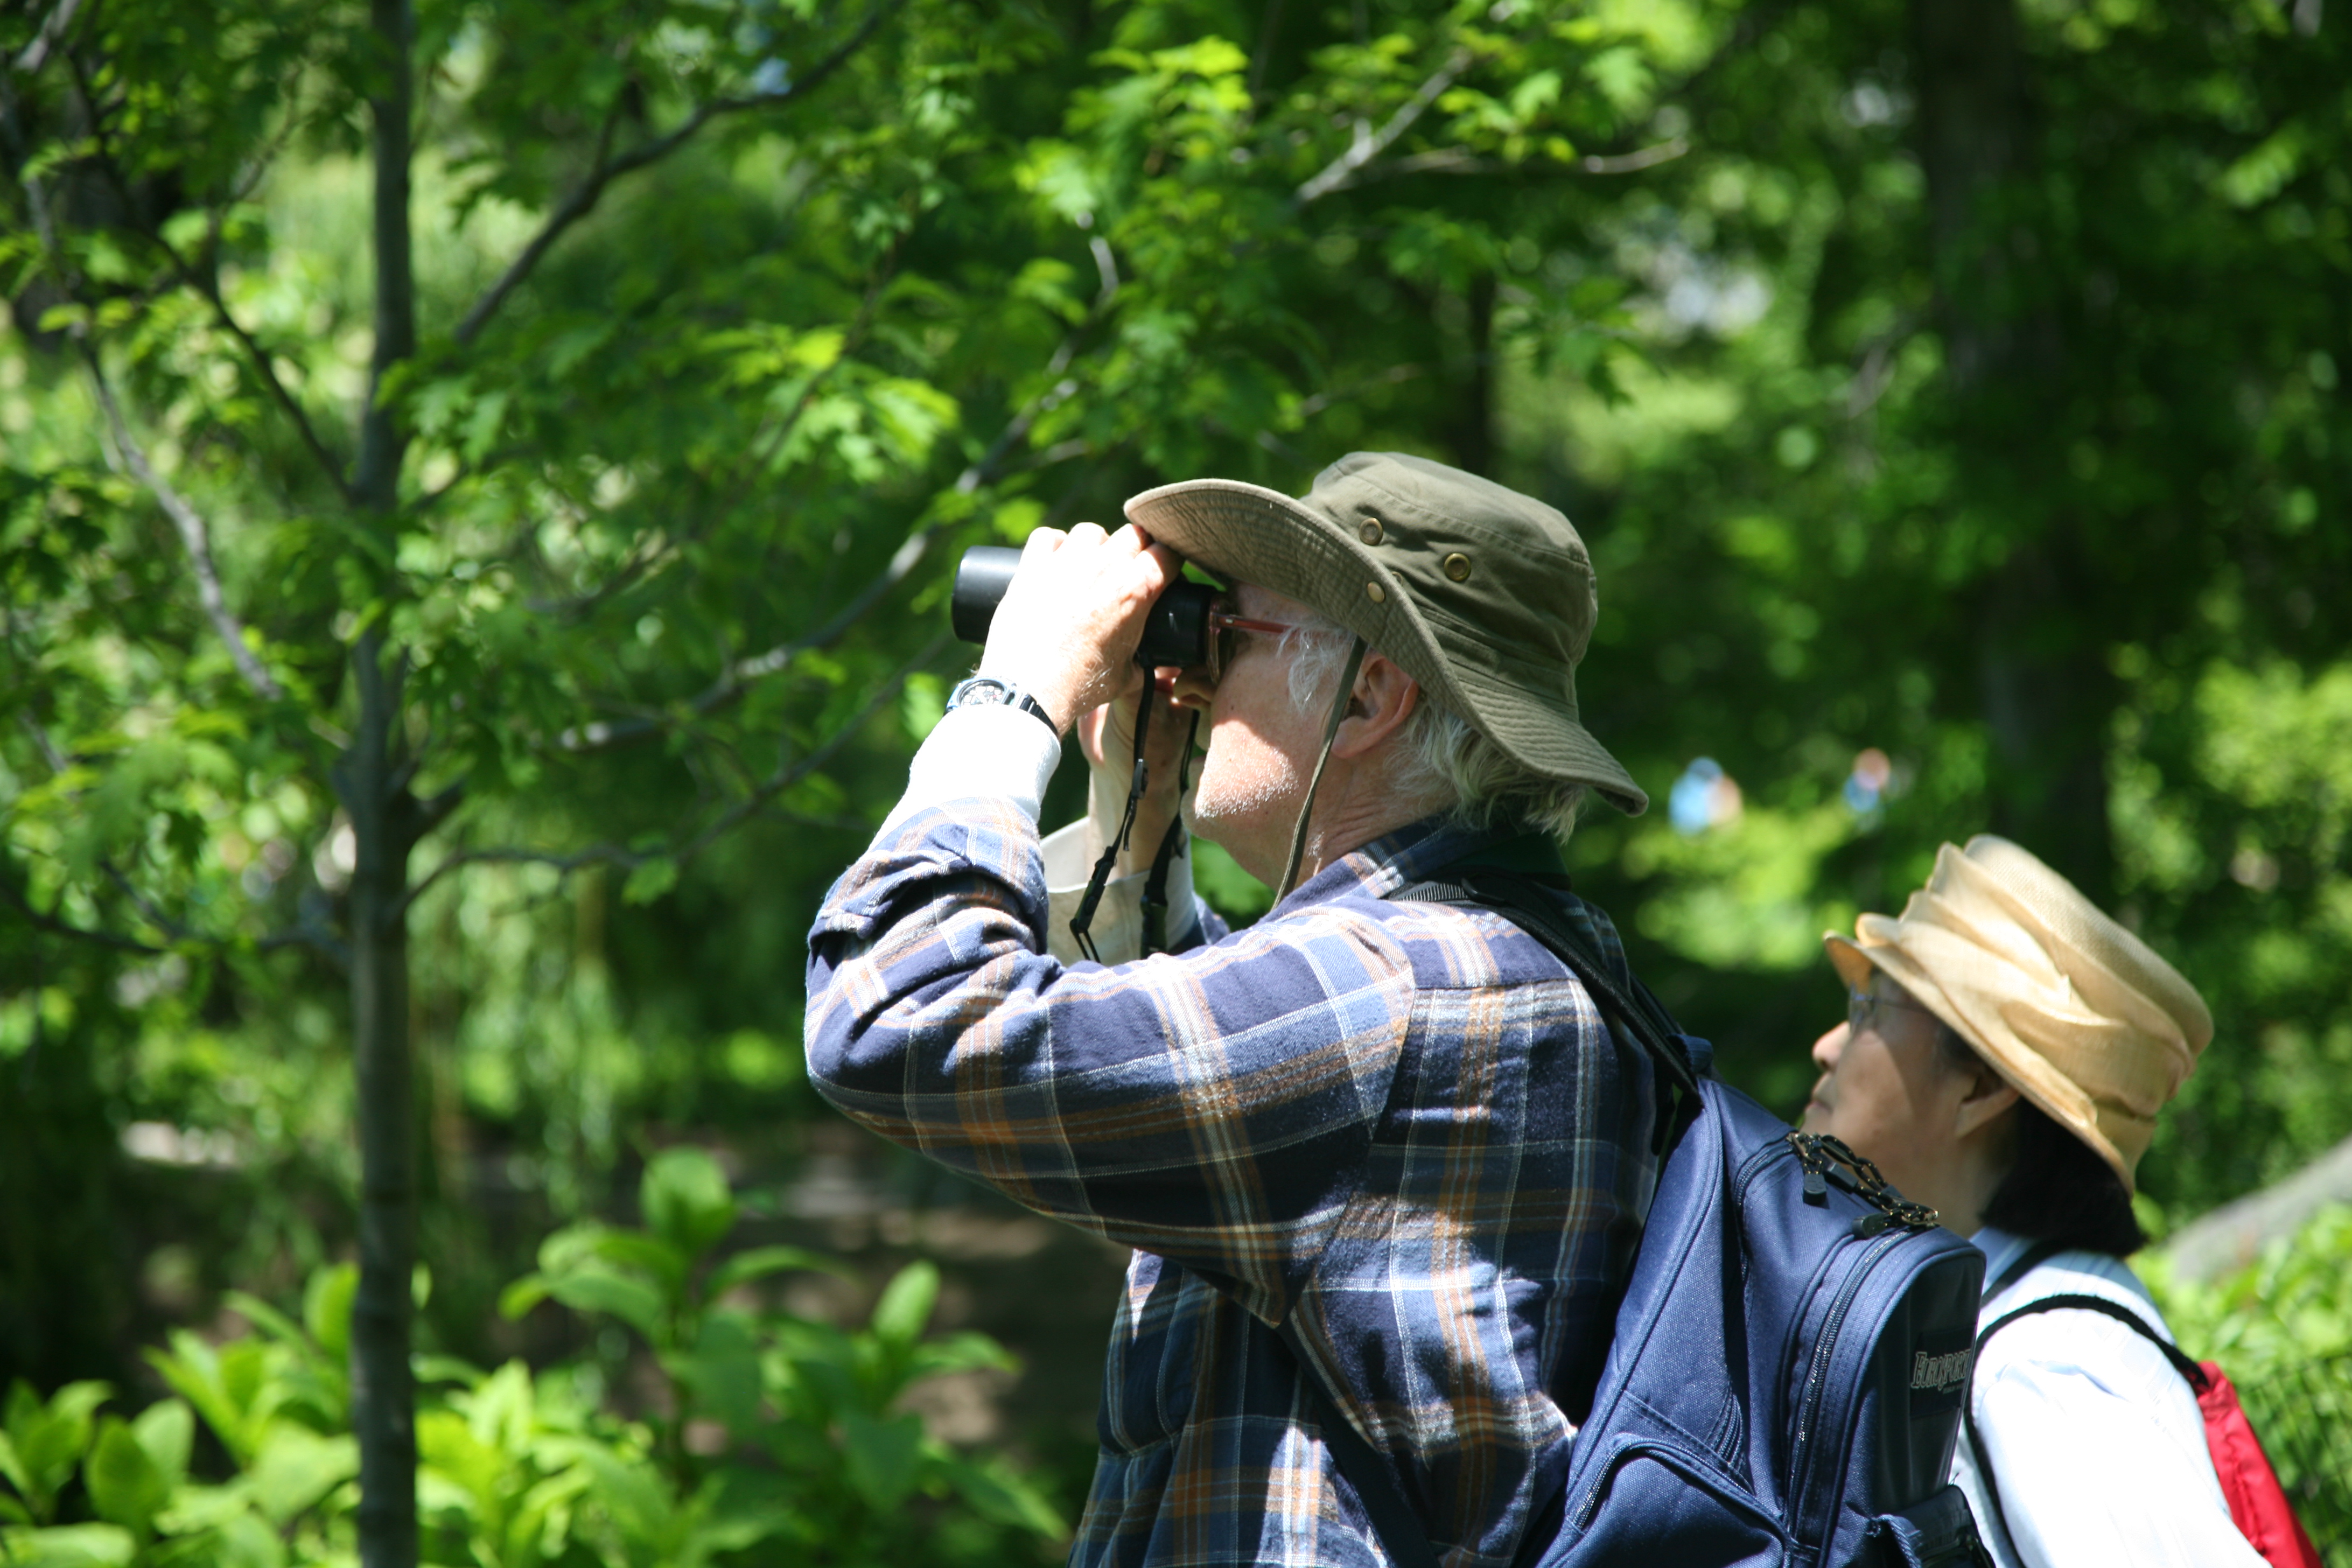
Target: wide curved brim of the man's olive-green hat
(1257, 535)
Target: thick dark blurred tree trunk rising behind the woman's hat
(2043, 676)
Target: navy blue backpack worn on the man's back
(1791, 1353)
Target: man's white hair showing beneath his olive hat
(1441, 758)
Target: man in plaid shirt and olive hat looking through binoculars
(1379, 1158)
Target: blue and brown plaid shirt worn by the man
(1398, 1123)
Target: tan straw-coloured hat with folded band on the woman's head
(2078, 1014)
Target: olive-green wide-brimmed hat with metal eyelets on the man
(1478, 594)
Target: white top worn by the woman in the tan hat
(2094, 1438)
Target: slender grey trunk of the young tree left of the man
(375, 793)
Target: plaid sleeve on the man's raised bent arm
(1198, 1106)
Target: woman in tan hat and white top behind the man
(2005, 1057)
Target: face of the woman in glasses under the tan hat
(1887, 1092)
